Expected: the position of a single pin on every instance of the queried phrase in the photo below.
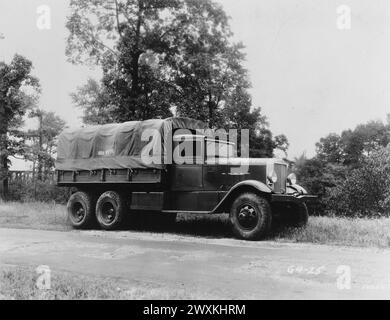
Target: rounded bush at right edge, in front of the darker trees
(366, 190)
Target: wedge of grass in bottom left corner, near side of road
(20, 283)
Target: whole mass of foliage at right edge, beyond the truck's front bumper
(350, 172)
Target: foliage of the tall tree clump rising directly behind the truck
(164, 57)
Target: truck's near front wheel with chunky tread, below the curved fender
(250, 216)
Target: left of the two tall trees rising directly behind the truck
(130, 35)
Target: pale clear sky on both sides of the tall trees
(312, 71)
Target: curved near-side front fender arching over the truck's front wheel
(243, 186)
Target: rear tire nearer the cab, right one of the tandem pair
(111, 209)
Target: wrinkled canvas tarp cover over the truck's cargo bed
(118, 146)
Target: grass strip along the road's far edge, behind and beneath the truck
(320, 230)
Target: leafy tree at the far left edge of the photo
(15, 77)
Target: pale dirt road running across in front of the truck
(221, 268)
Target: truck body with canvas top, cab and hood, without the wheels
(109, 158)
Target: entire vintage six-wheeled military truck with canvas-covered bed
(173, 166)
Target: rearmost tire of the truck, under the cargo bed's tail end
(81, 210)
